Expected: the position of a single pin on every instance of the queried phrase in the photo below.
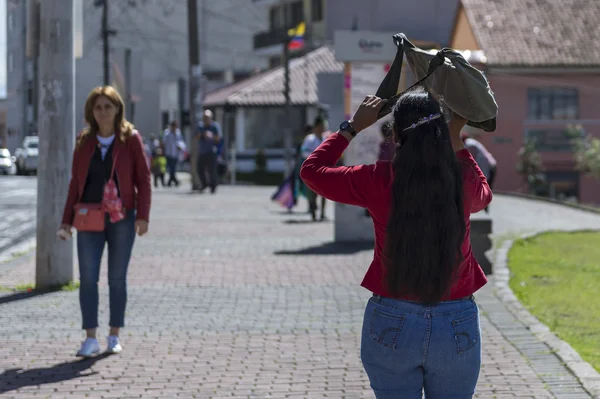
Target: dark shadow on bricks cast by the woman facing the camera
(13, 379)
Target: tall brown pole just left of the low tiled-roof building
(195, 75)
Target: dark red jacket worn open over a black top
(131, 169)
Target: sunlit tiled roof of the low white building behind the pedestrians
(267, 88)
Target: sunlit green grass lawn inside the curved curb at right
(557, 278)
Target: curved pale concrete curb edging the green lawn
(583, 371)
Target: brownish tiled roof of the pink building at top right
(537, 33)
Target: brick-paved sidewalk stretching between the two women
(229, 298)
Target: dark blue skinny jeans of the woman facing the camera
(120, 237)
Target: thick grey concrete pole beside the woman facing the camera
(56, 127)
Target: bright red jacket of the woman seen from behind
(368, 186)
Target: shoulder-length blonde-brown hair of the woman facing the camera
(122, 126)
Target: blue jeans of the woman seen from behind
(408, 347)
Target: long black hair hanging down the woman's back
(426, 225)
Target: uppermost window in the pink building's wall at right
(553, 103)
